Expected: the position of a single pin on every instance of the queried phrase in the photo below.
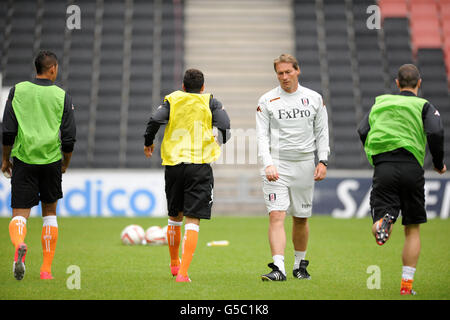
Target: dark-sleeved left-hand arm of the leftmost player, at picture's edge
(9, 133)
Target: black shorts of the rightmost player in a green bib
(399, 186)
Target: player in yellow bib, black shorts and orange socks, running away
(187, 149)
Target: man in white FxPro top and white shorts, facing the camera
(291, 124)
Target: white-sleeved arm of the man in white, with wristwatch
(322, 141)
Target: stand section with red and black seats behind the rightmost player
(414, 33)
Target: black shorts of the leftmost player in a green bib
(31, 183)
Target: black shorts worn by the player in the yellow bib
(189, 189)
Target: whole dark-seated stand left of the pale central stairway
(107, 67)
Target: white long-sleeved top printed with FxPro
(291, 126)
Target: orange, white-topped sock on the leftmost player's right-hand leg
(49, 238)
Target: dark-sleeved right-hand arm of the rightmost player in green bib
(434, 130)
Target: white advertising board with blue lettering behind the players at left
(103, 193)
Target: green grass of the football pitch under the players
(342, 255)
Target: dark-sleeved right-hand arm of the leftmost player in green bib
(68, 132)
